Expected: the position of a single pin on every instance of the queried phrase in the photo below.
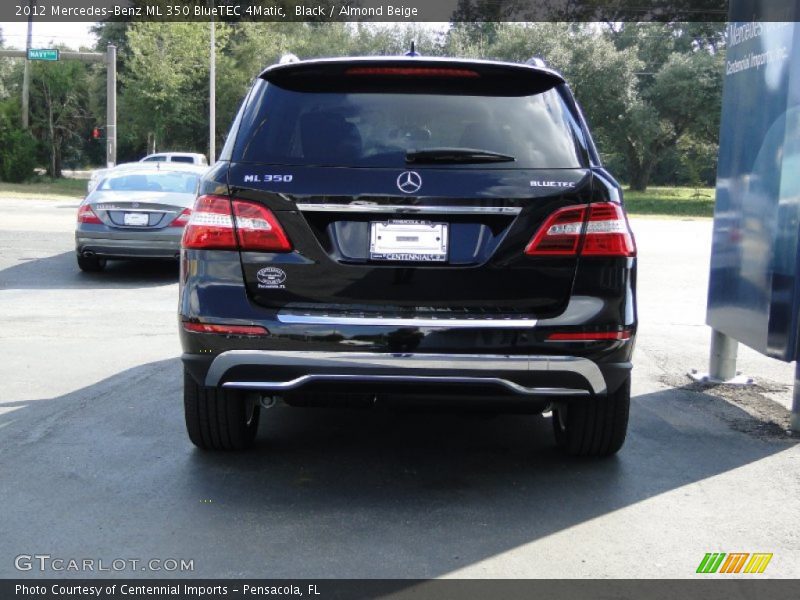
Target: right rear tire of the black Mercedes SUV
(594, 427)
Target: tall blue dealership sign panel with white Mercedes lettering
(754, 287)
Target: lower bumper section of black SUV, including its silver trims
(276, 372)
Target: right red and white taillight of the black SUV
(607, 233)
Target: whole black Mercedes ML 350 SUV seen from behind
(409, 231)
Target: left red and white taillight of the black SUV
(211, 226)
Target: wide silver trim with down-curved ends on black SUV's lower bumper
(493, 363)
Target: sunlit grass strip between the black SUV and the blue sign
(671, 201)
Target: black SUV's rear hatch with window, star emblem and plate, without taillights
(410, 187)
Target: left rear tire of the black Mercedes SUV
(219, 419)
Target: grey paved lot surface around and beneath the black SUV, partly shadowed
(95, 463)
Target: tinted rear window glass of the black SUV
(287, 127)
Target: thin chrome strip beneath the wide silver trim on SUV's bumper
(278, 386)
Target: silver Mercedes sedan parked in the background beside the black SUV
(136, 213)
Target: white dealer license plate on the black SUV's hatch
(415, 241)
